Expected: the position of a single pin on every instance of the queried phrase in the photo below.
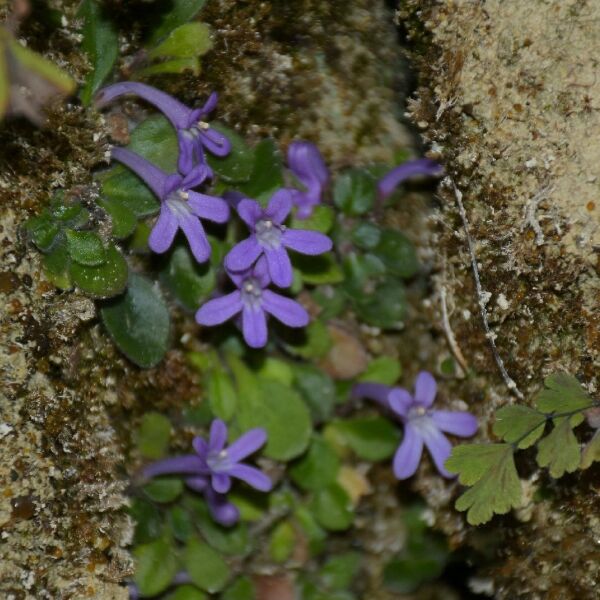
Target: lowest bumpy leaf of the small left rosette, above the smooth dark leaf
(105, 280)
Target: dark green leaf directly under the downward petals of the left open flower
(188, 281)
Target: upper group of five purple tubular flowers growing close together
(254, 263)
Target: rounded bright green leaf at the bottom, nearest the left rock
(155, 567)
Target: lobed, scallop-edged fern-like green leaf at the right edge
(489, 469)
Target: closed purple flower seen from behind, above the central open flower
(306, 162)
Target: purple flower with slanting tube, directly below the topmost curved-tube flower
(180, 208)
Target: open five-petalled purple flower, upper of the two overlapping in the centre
(271, 238)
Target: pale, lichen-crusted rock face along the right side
(510, 100)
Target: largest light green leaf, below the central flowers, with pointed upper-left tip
(274, 406)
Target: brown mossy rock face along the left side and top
(62, 485)
